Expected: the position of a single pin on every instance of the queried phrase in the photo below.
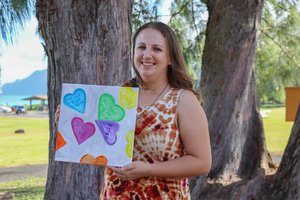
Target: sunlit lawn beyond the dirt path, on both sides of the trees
(32, 147)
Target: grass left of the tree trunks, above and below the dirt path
(24, 149)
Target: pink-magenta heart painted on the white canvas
(82, 131)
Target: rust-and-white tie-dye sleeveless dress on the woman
(157, 139)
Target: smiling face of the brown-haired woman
(151, 55)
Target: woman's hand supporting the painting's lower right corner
(134, 170)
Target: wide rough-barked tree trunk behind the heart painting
(87, 42)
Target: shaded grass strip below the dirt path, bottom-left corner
(31, 188)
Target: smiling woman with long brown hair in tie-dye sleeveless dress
(171, 137)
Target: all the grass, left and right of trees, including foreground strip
(32, 147)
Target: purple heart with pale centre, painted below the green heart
(108, 130)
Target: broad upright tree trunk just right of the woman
(228, 88)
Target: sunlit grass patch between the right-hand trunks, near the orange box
(277, 130)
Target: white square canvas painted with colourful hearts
(96, 124)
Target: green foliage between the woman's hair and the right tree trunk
(188, 19)
